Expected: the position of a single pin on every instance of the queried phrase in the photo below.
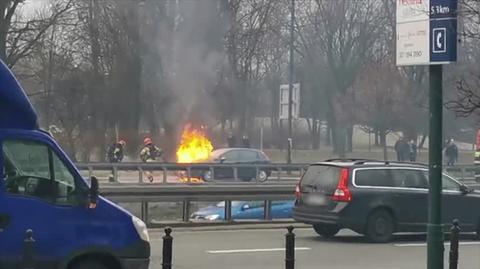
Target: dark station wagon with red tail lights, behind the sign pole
(378, 199)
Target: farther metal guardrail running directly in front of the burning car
(279, 171)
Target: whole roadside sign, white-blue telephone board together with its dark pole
(427, 35)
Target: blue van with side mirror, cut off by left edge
(42, 190)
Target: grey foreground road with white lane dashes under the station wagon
(263, 249)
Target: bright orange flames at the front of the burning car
(194, 146)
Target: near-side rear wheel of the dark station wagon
(380, 226)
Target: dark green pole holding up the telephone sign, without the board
(435, 248)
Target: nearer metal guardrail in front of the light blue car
(210, 193)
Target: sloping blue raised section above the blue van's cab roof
(16, 111)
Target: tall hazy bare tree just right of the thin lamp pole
(346, 33)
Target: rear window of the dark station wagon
(323, 177)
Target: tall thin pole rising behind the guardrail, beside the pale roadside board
(290, 82)
